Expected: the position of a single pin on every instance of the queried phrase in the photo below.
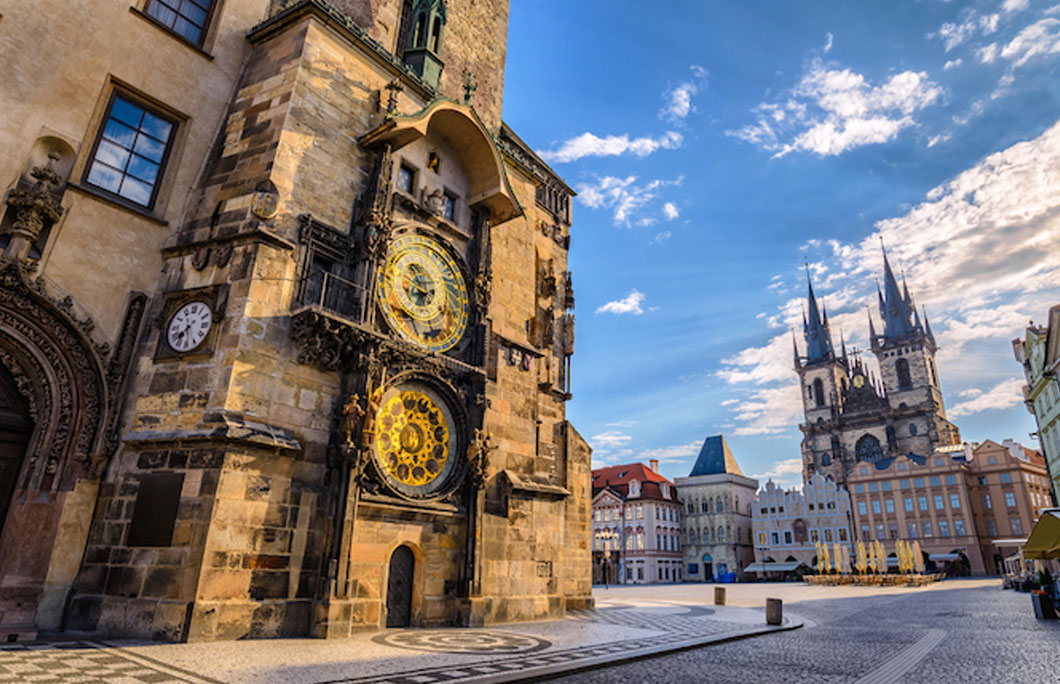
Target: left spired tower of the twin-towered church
(823, 376)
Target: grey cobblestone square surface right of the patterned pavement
(960, 632)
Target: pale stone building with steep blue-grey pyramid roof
(717, 525)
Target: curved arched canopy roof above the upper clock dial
(461, 128)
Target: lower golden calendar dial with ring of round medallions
(416, 441)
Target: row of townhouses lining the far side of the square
(968, 506)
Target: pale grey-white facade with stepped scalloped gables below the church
(789, 524)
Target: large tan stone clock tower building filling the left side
(286, 326)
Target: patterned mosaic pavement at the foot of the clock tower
(623, 626)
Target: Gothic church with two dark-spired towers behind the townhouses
(855, 415)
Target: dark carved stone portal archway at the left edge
(69, 388)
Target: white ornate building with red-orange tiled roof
(637, 527)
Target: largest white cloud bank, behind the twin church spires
(980, 254)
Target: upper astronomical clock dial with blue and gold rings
(422, 293)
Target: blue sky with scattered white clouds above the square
(719, 148)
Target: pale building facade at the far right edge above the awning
(1039, 354)
